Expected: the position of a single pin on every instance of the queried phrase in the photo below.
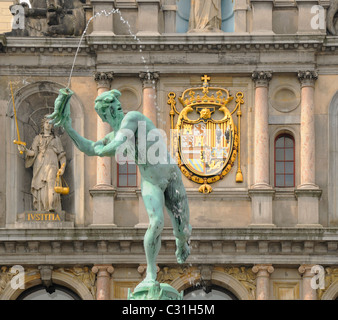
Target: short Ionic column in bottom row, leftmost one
(103, 281)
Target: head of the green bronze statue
(108, 106)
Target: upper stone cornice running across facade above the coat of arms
(173, 42)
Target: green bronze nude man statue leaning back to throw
(161, 183)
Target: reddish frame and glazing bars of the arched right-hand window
(290, 136)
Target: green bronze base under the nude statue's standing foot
(154, 291)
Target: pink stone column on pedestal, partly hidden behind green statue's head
(103, 192)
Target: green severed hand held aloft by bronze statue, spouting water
(61, 114)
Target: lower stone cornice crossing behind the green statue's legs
(287, 246)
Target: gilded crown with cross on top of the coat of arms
(205, 95)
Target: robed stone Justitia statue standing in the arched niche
(48, 159)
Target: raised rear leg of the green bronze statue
(177, 206)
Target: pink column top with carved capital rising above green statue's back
(149, 80)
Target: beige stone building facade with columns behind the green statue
(251, 238)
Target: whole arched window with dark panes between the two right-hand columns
(284, 161)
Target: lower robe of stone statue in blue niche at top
(205, 16)
